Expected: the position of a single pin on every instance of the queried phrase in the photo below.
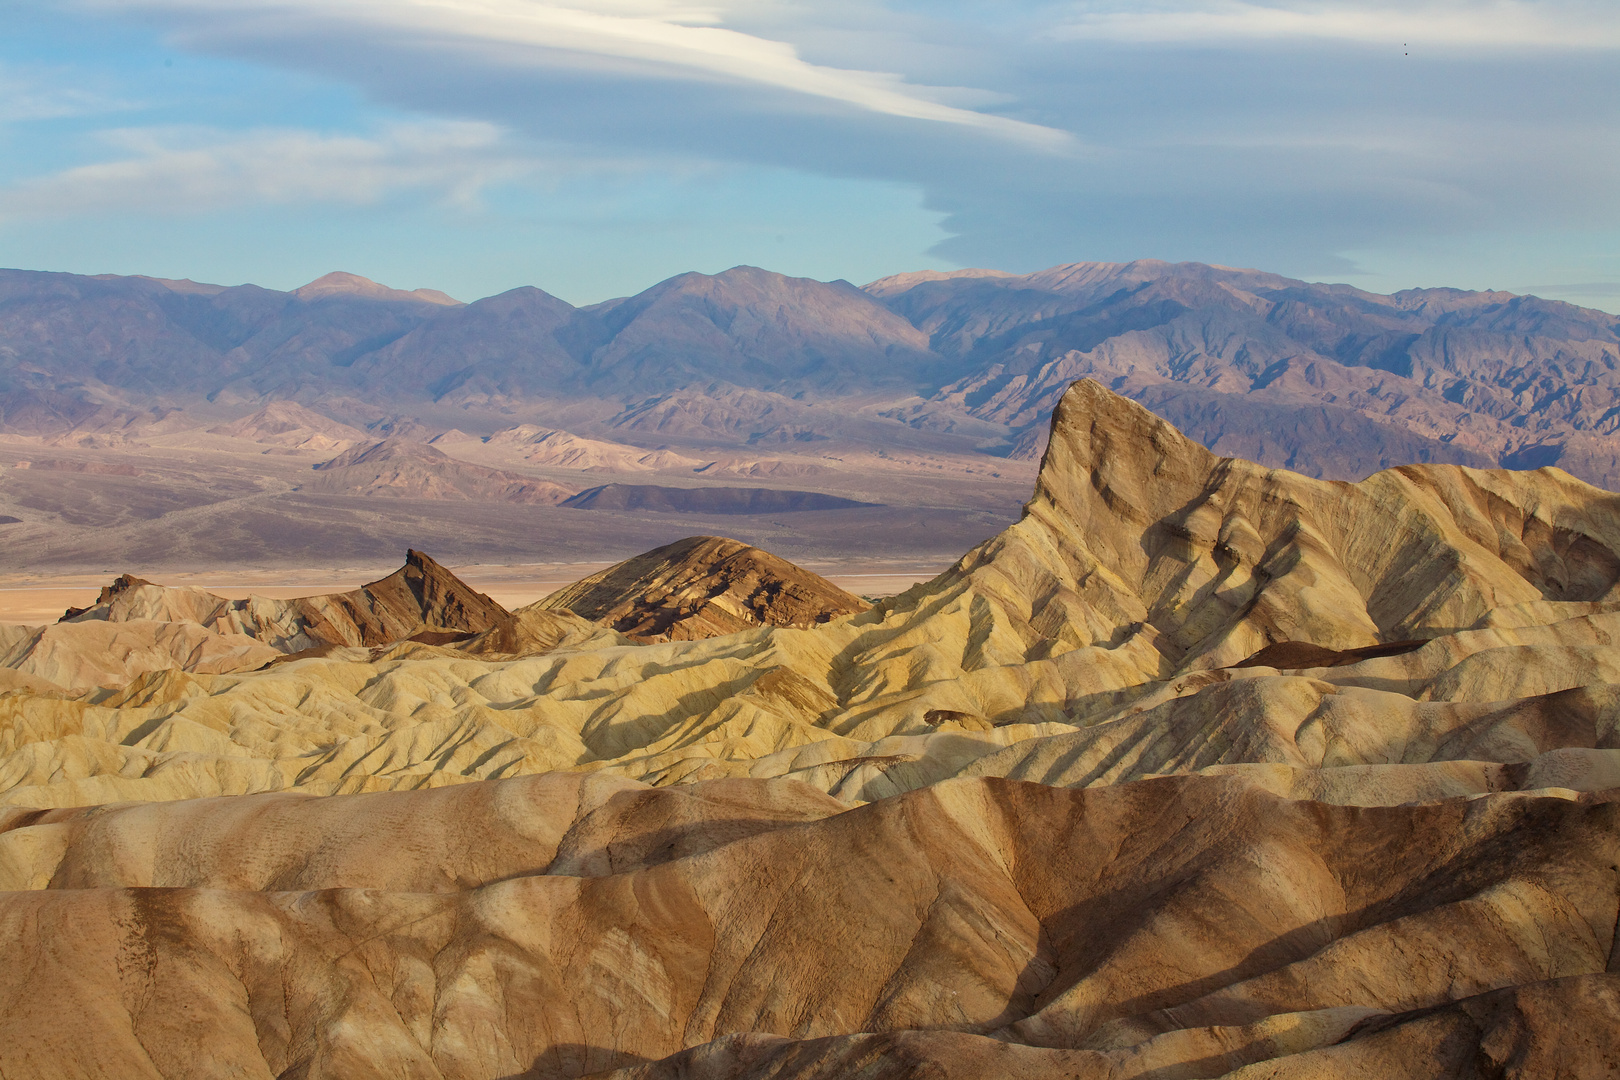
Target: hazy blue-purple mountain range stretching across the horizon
(1324, 380)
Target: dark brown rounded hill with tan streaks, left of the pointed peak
(704, 587)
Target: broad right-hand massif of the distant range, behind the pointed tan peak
(1439, 375)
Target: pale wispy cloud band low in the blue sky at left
(185, 171)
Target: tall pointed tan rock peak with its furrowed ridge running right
(1140, 535)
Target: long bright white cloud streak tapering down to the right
(657, 36)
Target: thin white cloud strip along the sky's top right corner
(1436, 23)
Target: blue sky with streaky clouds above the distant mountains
(595, 148)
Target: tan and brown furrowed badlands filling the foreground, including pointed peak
(1075, 809)
